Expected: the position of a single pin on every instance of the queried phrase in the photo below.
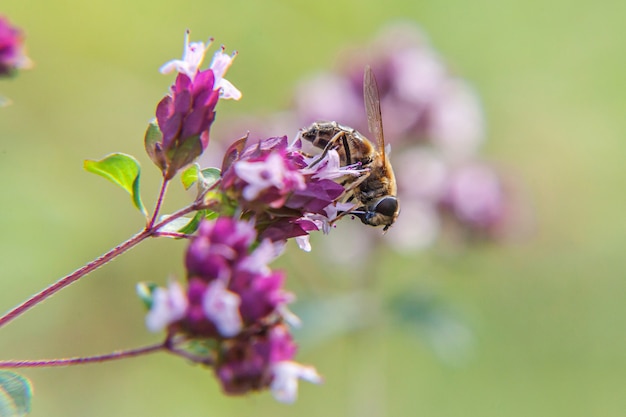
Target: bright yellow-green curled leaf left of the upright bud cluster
(122, 170)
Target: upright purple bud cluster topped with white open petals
(184, 117)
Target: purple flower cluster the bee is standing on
(283, 191)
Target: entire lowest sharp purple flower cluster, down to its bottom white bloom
(234, 300)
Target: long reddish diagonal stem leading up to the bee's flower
(91, 266)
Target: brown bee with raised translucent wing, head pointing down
(373, 193)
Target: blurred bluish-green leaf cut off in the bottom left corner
(15, 394)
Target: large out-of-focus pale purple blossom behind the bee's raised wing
(420, 99)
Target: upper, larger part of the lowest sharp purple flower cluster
(230, 285)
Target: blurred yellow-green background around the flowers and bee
(546, 313)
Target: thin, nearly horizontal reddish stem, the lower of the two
(118, 354)
